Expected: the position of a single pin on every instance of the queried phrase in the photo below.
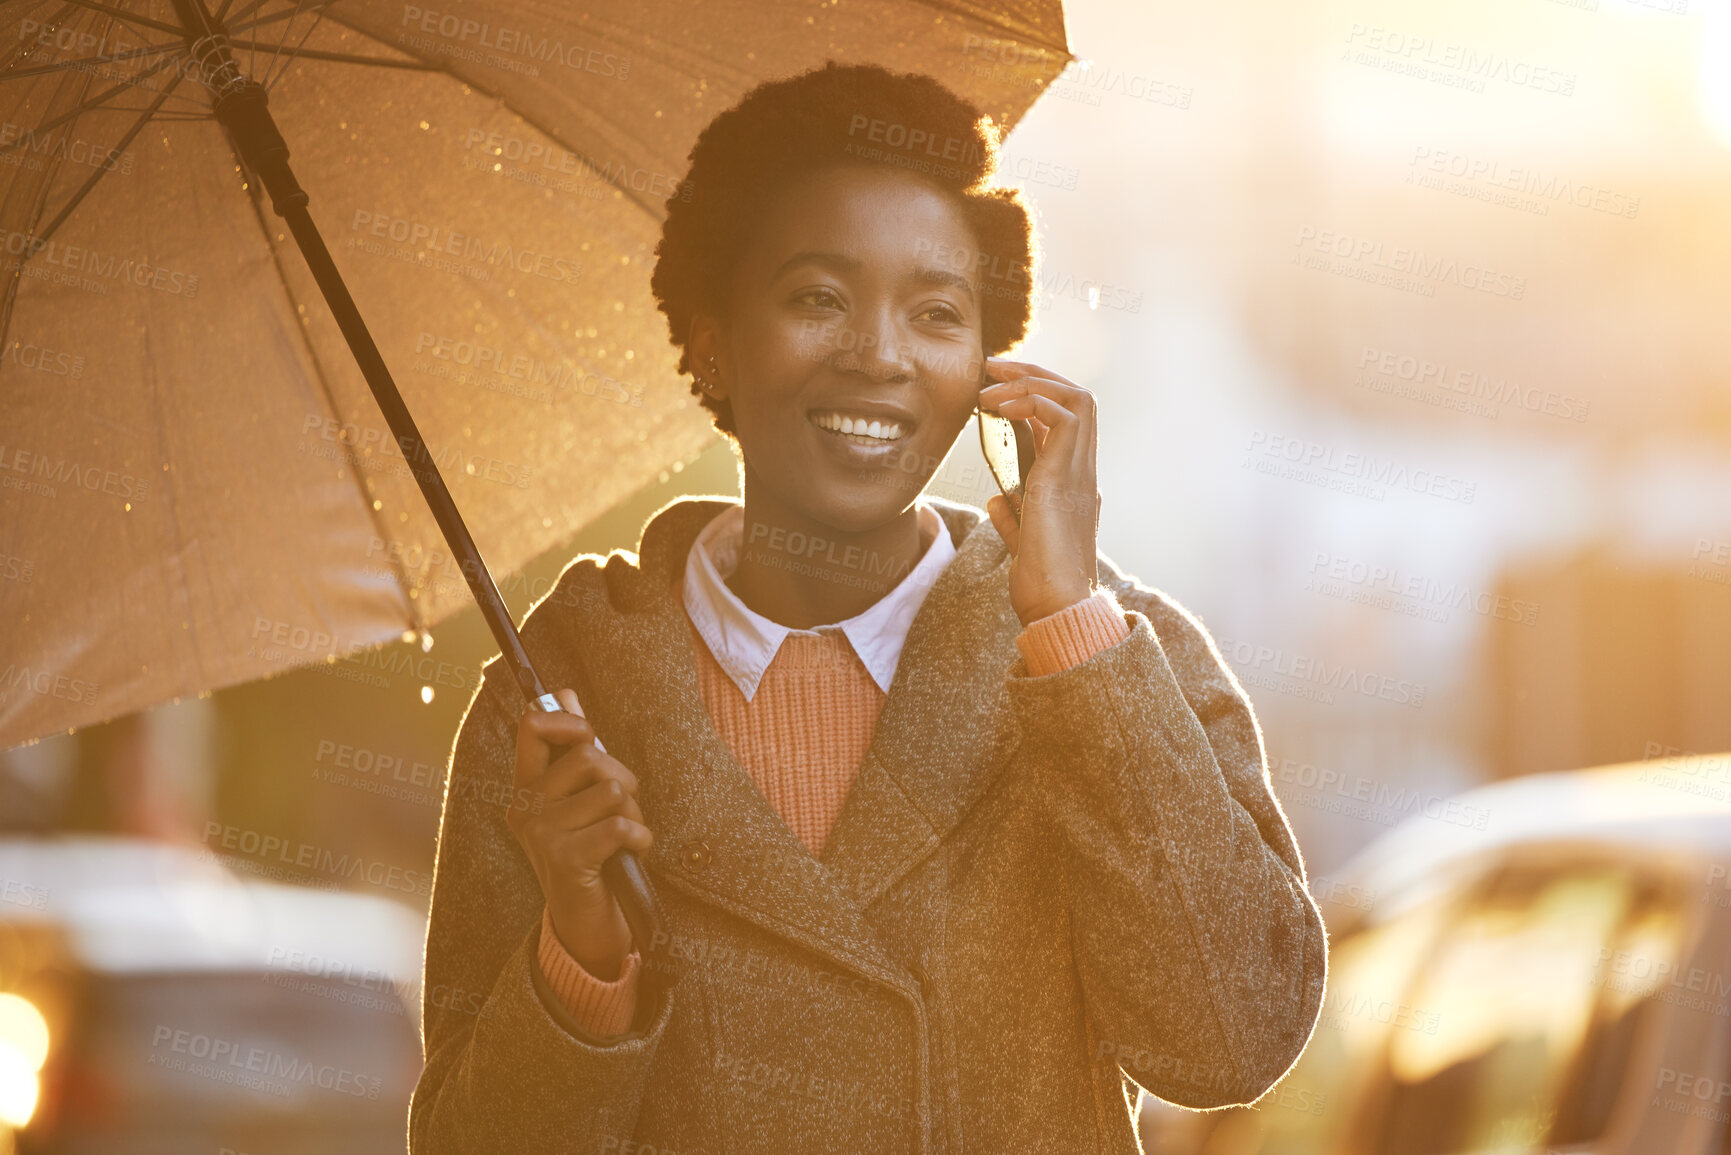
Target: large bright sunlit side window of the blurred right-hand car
(1514, 988)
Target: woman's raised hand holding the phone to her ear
(1053, 548)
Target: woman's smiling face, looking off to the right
(853, 351)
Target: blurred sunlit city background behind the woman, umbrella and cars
(1415, 385)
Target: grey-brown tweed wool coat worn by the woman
(1036, 887)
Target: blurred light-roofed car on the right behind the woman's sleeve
(1547, 971)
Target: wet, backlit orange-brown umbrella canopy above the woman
(196, 486)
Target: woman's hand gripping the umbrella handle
(588, 811)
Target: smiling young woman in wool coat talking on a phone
(955, 825)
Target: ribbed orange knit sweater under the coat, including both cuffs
(802, 740)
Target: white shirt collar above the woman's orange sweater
(745, 642)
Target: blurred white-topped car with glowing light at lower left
(153, 1002)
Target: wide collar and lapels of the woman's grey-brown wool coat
(939, 744)
